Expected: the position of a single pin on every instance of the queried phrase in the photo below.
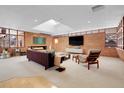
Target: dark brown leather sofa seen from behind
(46, 59)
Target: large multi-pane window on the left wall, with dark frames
(11, 38)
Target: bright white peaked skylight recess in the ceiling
(54, 27)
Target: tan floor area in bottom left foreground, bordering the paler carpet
(27, 82)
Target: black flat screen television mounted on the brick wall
(76, 40)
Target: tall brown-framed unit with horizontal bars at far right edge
(120, 35)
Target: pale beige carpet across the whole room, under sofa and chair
(110, 73)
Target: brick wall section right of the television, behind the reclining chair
(97, 40)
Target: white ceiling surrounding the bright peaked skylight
(76, 17)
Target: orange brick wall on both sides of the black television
(94, 40)
